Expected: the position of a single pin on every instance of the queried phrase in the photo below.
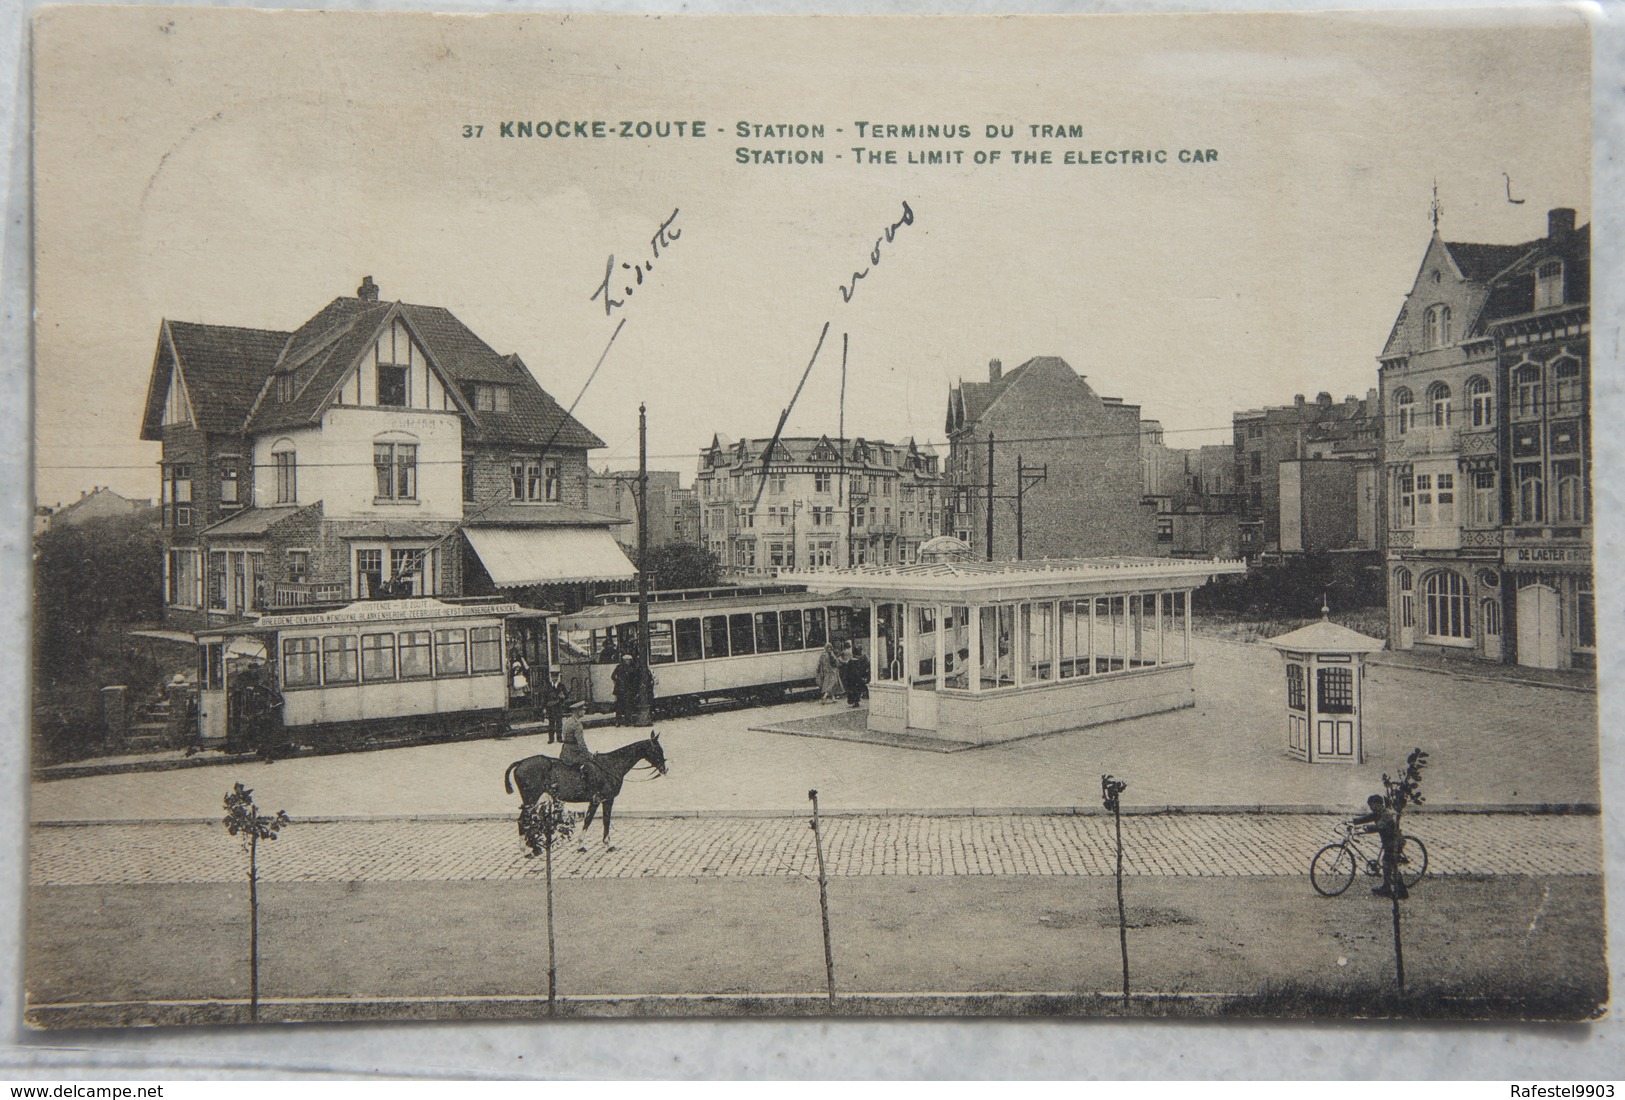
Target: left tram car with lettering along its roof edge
(368, 673)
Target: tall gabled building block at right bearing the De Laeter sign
(1486, 388)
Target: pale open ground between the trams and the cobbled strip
(1494, 745)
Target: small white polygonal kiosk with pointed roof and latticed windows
(1325, 672)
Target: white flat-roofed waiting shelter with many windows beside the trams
(987, 652)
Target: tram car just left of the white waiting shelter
(704, 644)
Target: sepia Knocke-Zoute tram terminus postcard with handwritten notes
(605, 516)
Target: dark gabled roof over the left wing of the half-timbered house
(223, 370)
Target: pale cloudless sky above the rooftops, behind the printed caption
(246, 168)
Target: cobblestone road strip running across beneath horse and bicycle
(860, 846)
